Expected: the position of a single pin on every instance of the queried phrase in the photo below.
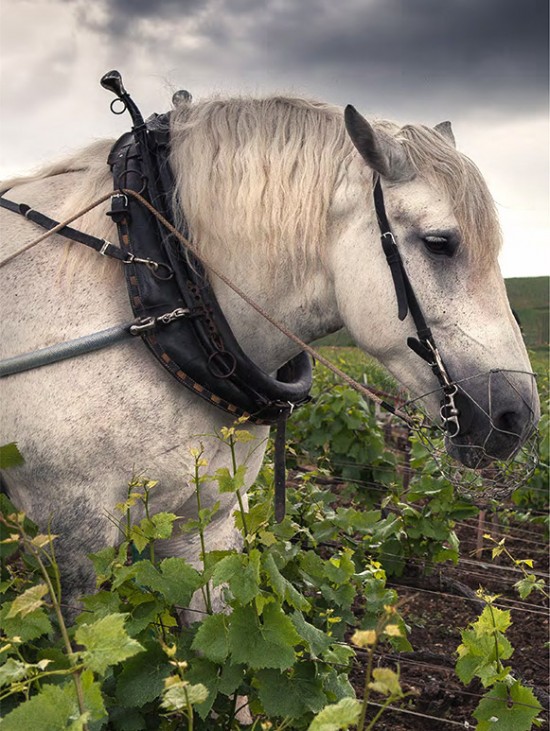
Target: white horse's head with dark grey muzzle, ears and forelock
(447, 233)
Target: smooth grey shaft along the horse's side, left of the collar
(61, 351)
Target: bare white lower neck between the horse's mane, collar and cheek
(307, 303)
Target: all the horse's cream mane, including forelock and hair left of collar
(260, 174)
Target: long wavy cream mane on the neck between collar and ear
(258, 174)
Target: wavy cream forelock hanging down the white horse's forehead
(459, 179)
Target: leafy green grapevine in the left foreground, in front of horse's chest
(127, 663)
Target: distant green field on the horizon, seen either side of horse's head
(529, 300)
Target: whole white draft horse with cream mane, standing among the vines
(279, 194)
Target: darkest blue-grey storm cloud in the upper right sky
(493, 51)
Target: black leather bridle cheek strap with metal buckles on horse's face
(424, 344)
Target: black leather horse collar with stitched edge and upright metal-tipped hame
(198, 348)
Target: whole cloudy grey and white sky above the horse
(481, 63)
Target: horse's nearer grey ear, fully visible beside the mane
(380, 151)
